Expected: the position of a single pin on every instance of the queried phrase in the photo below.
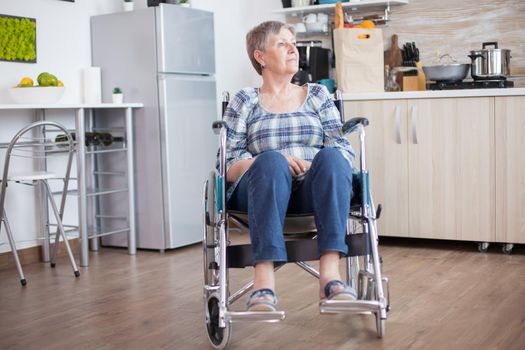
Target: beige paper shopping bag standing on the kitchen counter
(359, 59)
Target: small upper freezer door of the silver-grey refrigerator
(185, 40)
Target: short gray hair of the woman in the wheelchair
(257, 38)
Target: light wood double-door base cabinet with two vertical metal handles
(430, 163)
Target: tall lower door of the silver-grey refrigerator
(188, 108)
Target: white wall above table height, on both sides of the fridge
(63, 41)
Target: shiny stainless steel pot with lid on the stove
(490, 64)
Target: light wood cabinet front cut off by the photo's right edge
(510, 169)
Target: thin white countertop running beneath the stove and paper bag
(359, 96)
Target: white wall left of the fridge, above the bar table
(63, 44)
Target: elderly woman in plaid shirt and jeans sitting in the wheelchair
(286, 153)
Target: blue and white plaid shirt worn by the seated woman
(252, 130)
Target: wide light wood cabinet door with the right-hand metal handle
(451, 172)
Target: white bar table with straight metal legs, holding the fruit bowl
(80, 122)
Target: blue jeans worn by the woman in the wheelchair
(267, 192)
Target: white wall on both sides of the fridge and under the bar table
(63, 48)
